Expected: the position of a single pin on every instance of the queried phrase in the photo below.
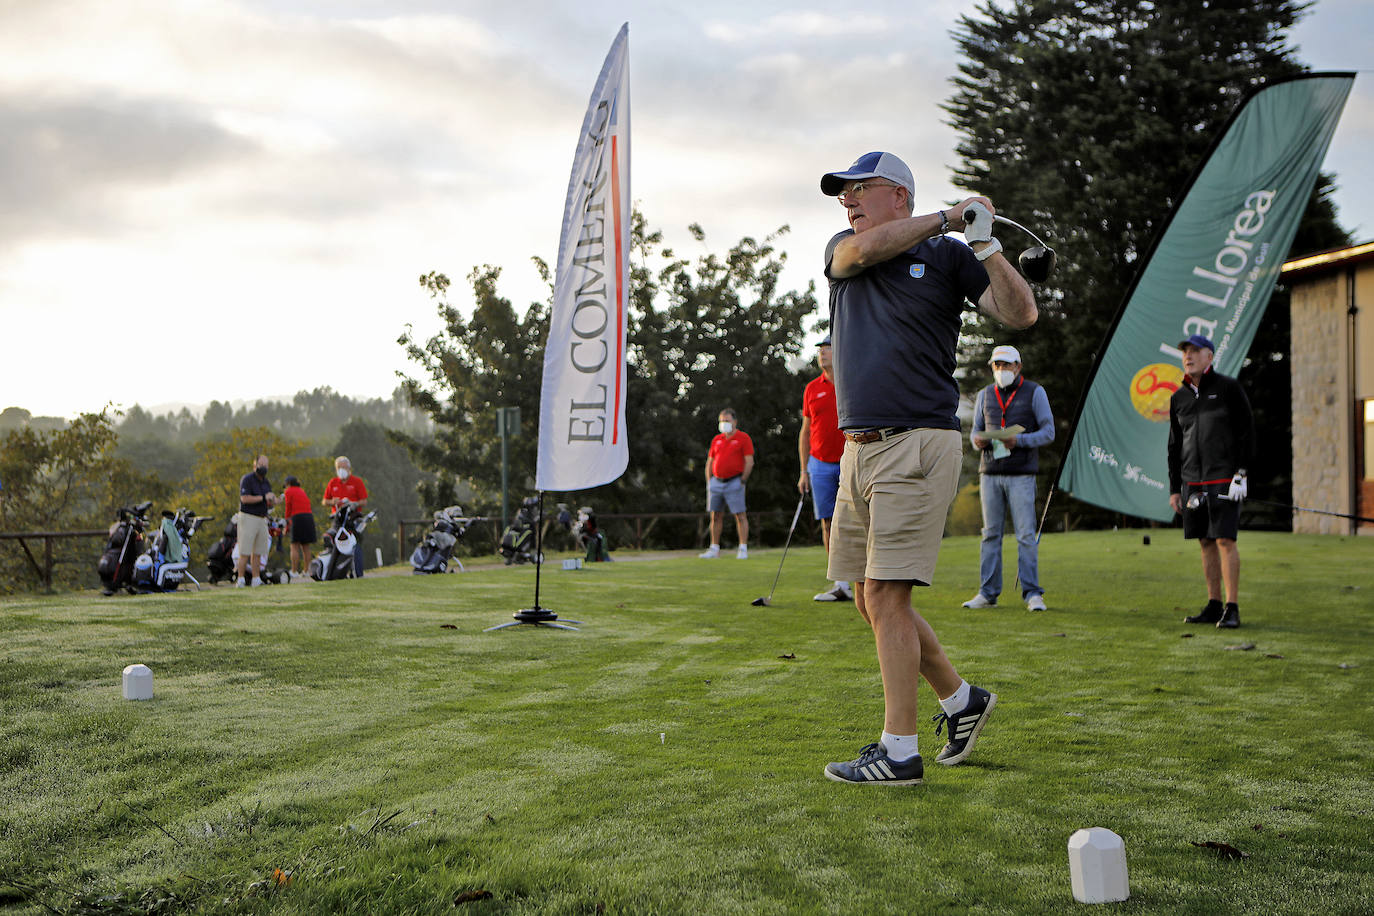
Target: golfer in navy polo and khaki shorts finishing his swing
(898, 290)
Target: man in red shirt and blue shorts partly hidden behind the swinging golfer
(820, 447)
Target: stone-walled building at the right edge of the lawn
(1333, 388)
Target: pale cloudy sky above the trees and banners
(234, 200)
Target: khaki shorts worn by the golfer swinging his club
(892, 506)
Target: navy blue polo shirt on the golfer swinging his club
(895, 329)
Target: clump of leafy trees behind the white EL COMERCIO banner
(704, 334)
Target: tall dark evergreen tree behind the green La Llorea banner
(1085, 120)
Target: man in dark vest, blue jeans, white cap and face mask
(1006, 474)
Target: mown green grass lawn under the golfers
(365, 748)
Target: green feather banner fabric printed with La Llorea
(1211, 273)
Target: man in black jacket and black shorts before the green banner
(1211, 444)
